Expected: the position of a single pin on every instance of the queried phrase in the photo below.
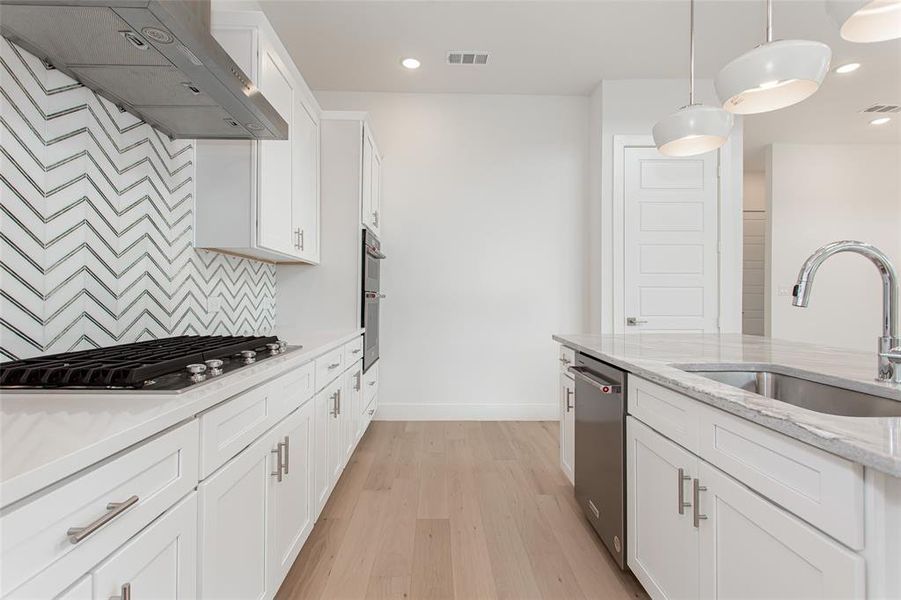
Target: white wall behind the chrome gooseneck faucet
(819, 194)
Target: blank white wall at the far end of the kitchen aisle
(484, 225)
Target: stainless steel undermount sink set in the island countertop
(811, 395)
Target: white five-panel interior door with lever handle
(670, 242)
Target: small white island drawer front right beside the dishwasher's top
(670, 413)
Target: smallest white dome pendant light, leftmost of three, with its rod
(695, 128)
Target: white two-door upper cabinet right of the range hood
(261, 198)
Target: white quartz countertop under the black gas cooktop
(47, 436)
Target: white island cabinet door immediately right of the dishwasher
(662, 547)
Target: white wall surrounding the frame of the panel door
(631, 107)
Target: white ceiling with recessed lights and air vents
(563, 47)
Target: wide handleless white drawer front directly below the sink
(820, 488)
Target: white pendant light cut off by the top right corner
(867, 20)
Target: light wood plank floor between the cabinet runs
(455, 510)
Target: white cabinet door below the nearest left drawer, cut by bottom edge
(159, 562)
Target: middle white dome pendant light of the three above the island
(773, 75)
